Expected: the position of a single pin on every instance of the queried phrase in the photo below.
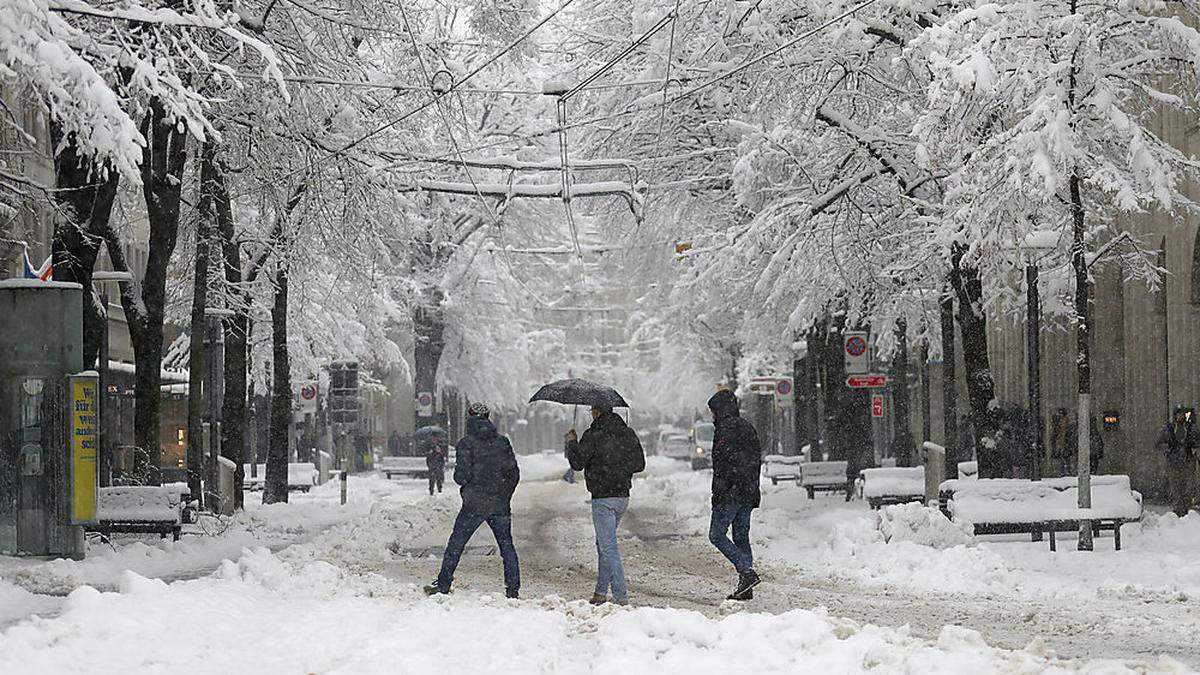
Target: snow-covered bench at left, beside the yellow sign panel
(153, 510)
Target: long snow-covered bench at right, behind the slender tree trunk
(1010, 506)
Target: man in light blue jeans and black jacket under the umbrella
(609, 455)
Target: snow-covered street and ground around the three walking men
(314, 587)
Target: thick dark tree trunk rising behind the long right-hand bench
(981, 387)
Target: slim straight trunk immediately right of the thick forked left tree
(196, 337)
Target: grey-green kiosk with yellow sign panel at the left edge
(49, 421)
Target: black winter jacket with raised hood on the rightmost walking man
(737, 456)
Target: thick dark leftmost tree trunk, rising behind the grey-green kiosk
(86, 200)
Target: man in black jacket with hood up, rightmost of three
(737, 463)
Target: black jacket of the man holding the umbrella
(609, 455)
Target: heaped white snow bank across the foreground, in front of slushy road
(341, 623)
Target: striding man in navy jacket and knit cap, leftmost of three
(487, 469)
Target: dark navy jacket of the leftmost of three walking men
(487, 469)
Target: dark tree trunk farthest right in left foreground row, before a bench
(277, 487)
